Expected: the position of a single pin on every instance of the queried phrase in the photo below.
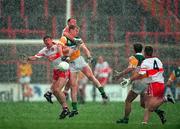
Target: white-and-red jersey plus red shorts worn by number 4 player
(153, 68)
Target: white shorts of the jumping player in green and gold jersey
(77, 64)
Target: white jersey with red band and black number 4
(153, 68)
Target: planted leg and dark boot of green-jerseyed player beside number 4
(128, 102)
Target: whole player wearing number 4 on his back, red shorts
(152, 71)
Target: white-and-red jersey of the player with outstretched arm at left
(52, 54)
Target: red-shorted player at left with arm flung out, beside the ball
(53, 52)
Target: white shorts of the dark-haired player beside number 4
(139, 86)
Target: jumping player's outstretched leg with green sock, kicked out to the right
(89, 74)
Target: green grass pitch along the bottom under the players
(42, 115)
